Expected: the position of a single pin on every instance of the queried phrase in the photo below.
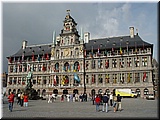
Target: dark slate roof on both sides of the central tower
(101, 43)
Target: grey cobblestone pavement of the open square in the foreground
(131, 108)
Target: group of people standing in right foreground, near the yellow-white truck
(105, 100)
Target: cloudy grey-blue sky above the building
(36, 21)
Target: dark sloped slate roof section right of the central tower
(107, 43)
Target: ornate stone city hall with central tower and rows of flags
(74, 63)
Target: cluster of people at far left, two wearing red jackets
(22, 100)
